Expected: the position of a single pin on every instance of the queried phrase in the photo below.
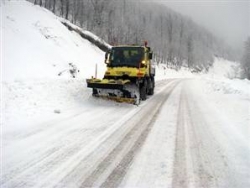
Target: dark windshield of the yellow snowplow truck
(126, 56)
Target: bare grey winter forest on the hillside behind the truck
(176, 40)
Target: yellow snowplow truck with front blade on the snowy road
(129, 76)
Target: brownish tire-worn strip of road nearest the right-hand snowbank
(198, 159)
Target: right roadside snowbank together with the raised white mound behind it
(230, 96)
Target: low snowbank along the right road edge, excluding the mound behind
(231, 98)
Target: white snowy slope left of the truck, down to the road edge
(36, 48)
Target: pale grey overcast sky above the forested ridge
(228, 19)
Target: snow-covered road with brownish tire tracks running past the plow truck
(177, 138)
